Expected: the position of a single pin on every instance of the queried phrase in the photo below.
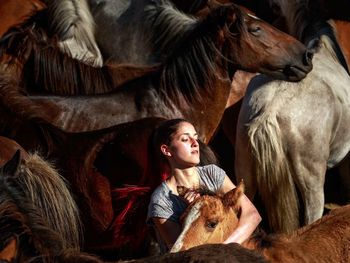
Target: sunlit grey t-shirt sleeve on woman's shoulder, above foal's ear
(213, 177)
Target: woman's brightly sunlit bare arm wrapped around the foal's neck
(249, 220)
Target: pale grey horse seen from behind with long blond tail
(289, 134)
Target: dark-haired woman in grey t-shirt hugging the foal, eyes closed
(177, 141)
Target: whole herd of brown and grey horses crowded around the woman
(86, 82)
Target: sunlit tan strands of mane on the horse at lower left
(49, 191)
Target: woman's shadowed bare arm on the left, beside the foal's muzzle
(168, 230)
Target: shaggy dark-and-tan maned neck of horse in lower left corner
(37, 208)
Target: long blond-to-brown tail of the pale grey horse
(274, 179)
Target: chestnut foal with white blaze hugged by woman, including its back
(212, 218)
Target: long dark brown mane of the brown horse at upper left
(49, 62)
